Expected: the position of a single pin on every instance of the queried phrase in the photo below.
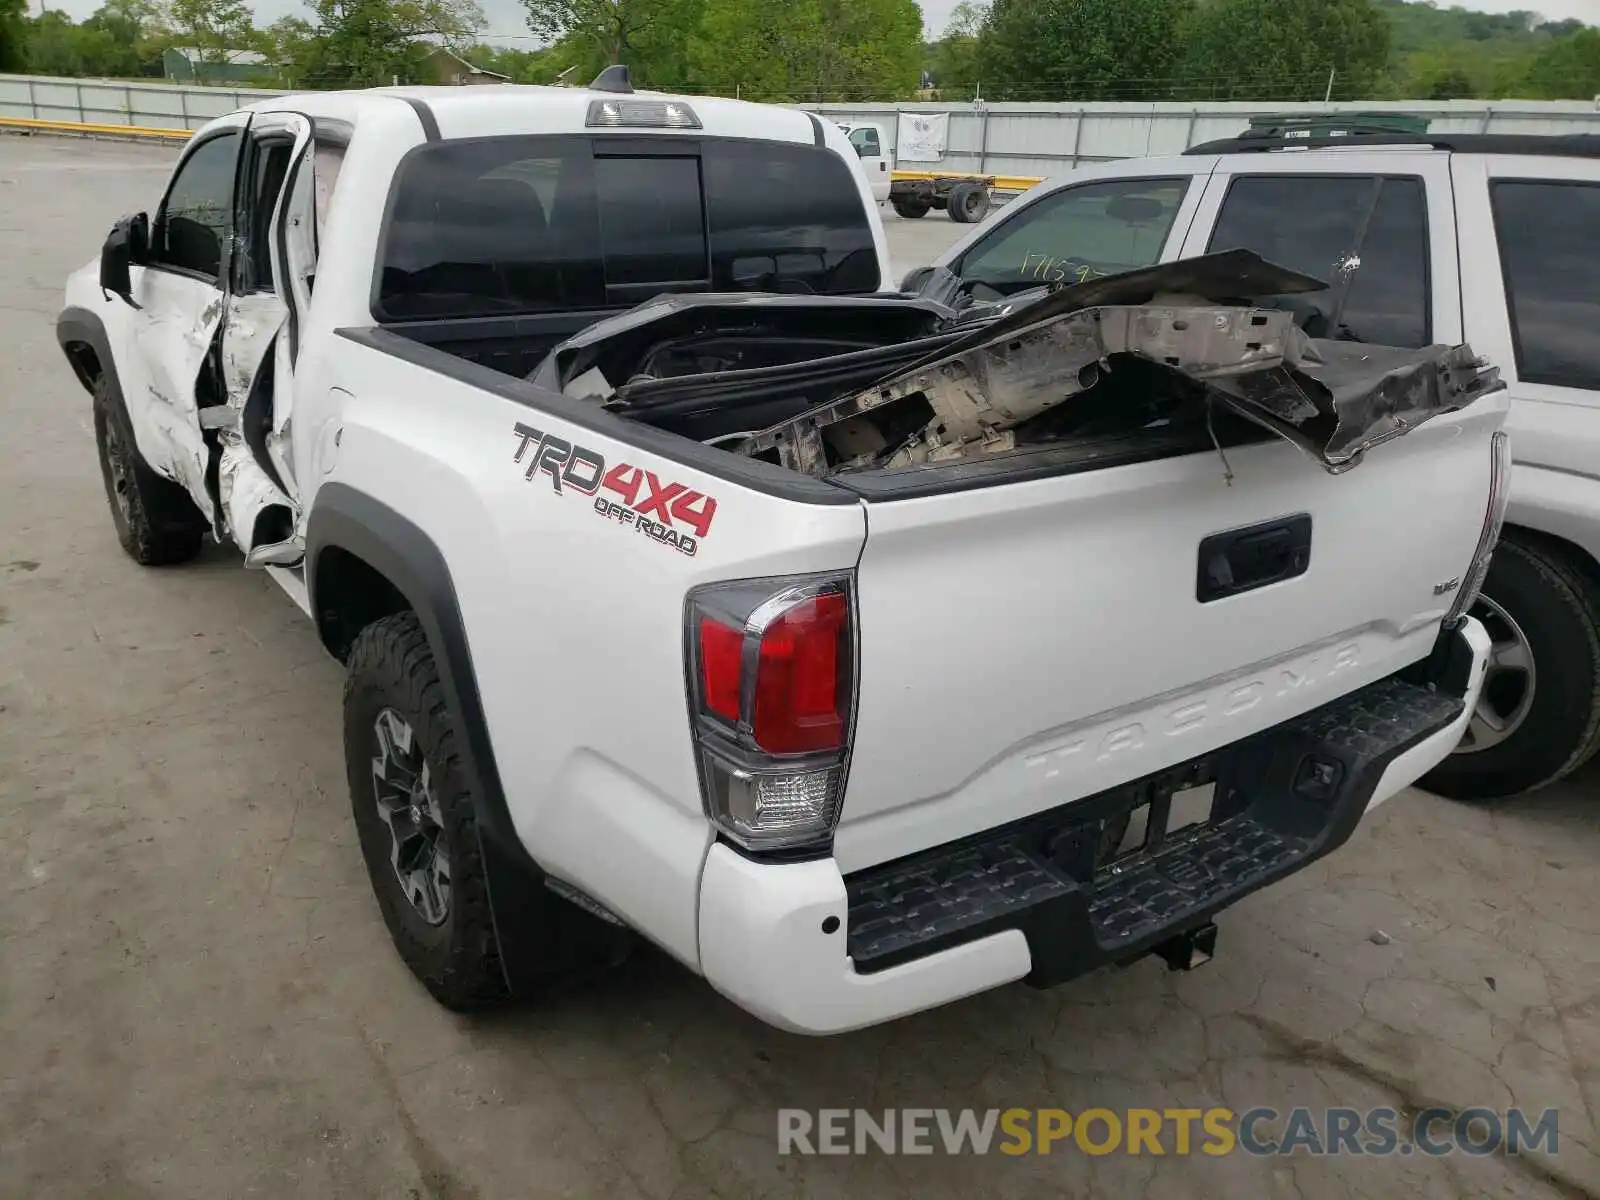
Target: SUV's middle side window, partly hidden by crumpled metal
(1314, 223)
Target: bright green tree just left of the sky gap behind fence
(809, 50)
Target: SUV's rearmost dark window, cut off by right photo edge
(1550, 239)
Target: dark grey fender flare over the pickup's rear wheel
(540, 935)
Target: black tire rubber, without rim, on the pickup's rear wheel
(458, 961)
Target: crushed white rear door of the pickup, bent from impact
(268, 303)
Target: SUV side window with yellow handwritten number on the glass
(1078, 234)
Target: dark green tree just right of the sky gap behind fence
(1098, 50)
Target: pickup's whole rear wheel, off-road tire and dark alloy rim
(418, 836)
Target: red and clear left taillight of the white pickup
(772, 668)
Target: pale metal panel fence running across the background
(1007, 140)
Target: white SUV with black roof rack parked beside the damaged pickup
(1444, 238)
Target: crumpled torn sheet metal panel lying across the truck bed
(1335, 401)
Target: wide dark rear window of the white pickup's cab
(548, 225)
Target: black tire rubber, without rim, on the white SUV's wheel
(1558, 607)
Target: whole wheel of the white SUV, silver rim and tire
(1538, 716)
